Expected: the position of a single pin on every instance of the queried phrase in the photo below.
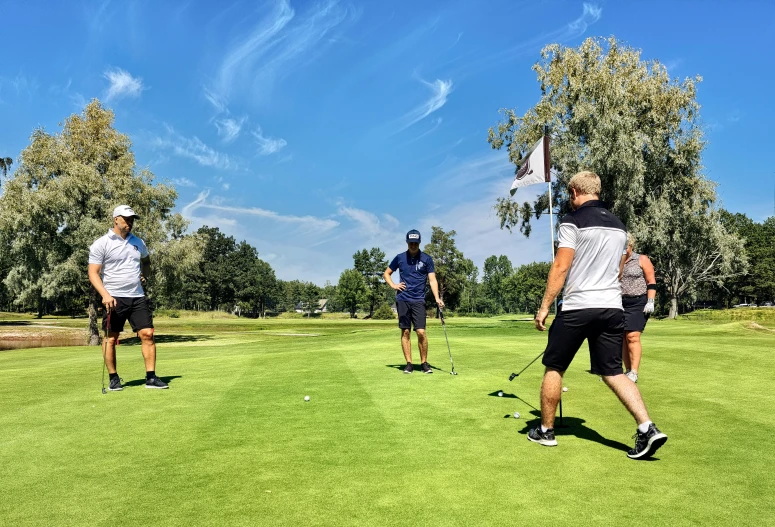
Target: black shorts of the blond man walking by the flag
(603, 329)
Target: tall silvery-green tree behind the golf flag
(626, 120)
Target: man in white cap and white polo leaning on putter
(118, 265)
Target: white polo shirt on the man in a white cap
(120, 260)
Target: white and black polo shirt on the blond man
(598, 238)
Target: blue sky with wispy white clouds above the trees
(315, 129)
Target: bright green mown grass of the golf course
(233, 443)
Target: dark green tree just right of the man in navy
(450, 265)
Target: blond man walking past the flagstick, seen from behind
(592, 242)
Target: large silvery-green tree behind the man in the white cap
(60, 200)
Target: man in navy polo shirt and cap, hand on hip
(414, 266)
